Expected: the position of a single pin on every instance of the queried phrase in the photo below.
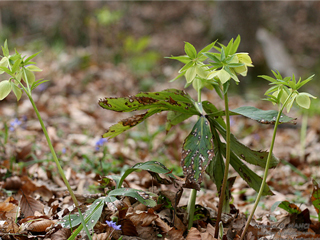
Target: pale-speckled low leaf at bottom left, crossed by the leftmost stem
(91, 216)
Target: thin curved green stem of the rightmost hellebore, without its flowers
(264, 180)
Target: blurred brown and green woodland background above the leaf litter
(282, 35)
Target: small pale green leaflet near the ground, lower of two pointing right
(141, 196)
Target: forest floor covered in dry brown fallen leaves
(34, 198)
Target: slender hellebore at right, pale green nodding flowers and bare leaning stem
(284, 93)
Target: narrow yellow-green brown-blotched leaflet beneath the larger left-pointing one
(128, 123)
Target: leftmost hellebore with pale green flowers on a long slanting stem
(22, 79)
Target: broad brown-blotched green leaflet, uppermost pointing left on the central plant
(170, 99)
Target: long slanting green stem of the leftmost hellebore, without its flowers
(60, 170)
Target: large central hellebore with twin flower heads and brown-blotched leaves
(203, 151)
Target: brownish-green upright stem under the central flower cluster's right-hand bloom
(226, 170)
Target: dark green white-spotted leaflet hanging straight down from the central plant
(197, 152)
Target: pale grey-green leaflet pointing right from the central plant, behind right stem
(262, 116)
